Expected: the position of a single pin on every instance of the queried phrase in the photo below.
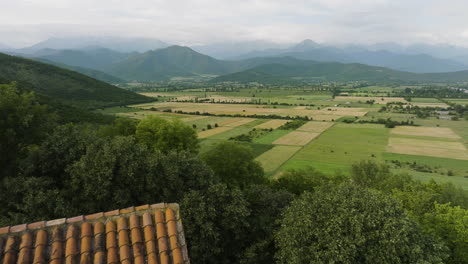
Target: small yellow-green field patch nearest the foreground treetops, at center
(275, 157)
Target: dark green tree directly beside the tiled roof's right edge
(216, 224)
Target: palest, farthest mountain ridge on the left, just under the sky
(113, 43)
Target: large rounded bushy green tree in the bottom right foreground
(350, 224)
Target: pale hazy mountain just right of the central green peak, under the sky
(230, 50)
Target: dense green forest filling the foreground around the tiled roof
(231, 212)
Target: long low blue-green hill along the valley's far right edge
(333, 71)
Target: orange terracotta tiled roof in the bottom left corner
(150, 234)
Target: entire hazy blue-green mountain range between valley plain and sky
(305, 61)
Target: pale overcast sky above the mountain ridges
(25, 22)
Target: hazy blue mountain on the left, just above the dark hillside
(98, 58)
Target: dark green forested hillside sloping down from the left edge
(66, 86)
